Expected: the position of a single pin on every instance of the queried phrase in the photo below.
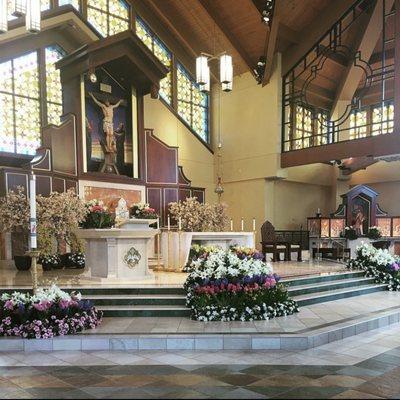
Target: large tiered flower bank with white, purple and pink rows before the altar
(234, 285)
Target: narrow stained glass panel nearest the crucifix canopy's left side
(53, 85)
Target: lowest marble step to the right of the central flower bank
(321, 297)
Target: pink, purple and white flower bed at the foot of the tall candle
(51, 312)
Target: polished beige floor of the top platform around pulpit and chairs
(10, 277)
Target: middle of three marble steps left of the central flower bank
(115, 300)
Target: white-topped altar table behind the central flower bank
(176, 245)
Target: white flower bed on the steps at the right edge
(378, 264)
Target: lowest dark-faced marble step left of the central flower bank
(145, 311)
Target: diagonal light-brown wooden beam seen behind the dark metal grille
(369, 29)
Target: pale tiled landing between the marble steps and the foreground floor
(312, 316)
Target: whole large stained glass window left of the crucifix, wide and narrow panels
(22, 110)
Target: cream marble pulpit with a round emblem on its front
(117, 253)
